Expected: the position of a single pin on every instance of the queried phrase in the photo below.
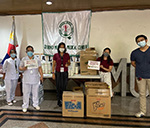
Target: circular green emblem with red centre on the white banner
(66, 29)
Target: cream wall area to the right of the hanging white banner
(117, 30)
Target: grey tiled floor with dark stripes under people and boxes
(123, 110)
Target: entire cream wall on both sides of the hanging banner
(115, 29)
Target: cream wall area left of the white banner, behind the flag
(28, 32)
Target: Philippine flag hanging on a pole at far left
(12, 41)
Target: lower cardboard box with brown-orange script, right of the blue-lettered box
(98, 106)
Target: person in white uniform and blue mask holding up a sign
(32, 76)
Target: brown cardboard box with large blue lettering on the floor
(73, 104)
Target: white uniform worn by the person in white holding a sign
(31, 83)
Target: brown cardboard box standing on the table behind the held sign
(88, 54)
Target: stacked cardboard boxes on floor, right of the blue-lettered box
(98, 100)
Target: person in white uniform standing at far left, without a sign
(10, 76)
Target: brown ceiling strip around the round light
(19, 7)
